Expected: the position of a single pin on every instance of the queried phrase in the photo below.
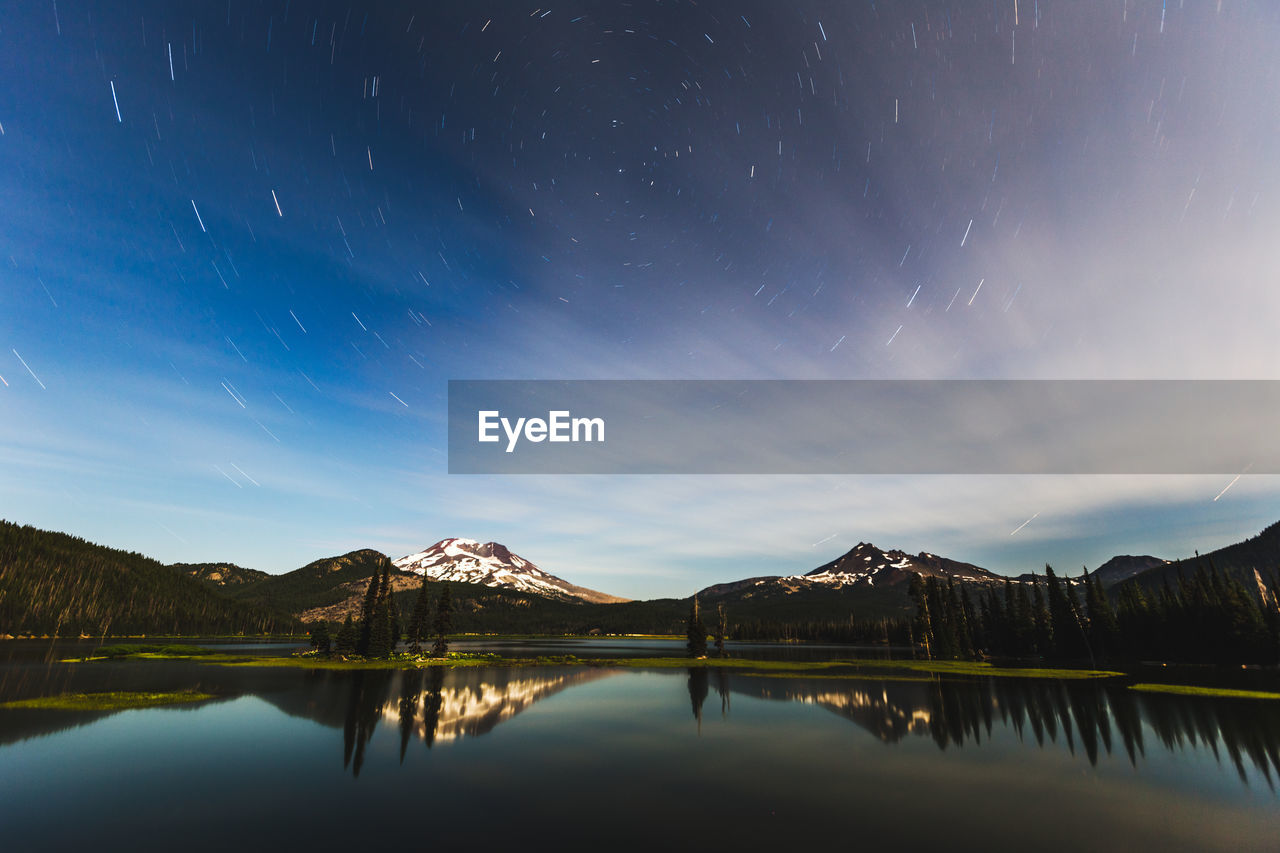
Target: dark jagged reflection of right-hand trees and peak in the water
(1086, 717)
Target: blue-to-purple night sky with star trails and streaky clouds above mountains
(244, 247)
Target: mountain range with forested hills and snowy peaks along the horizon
(56, 583)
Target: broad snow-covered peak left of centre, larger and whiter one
(495, 565)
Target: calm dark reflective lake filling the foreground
(602, 758)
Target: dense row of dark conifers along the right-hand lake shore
(1209, 618)
